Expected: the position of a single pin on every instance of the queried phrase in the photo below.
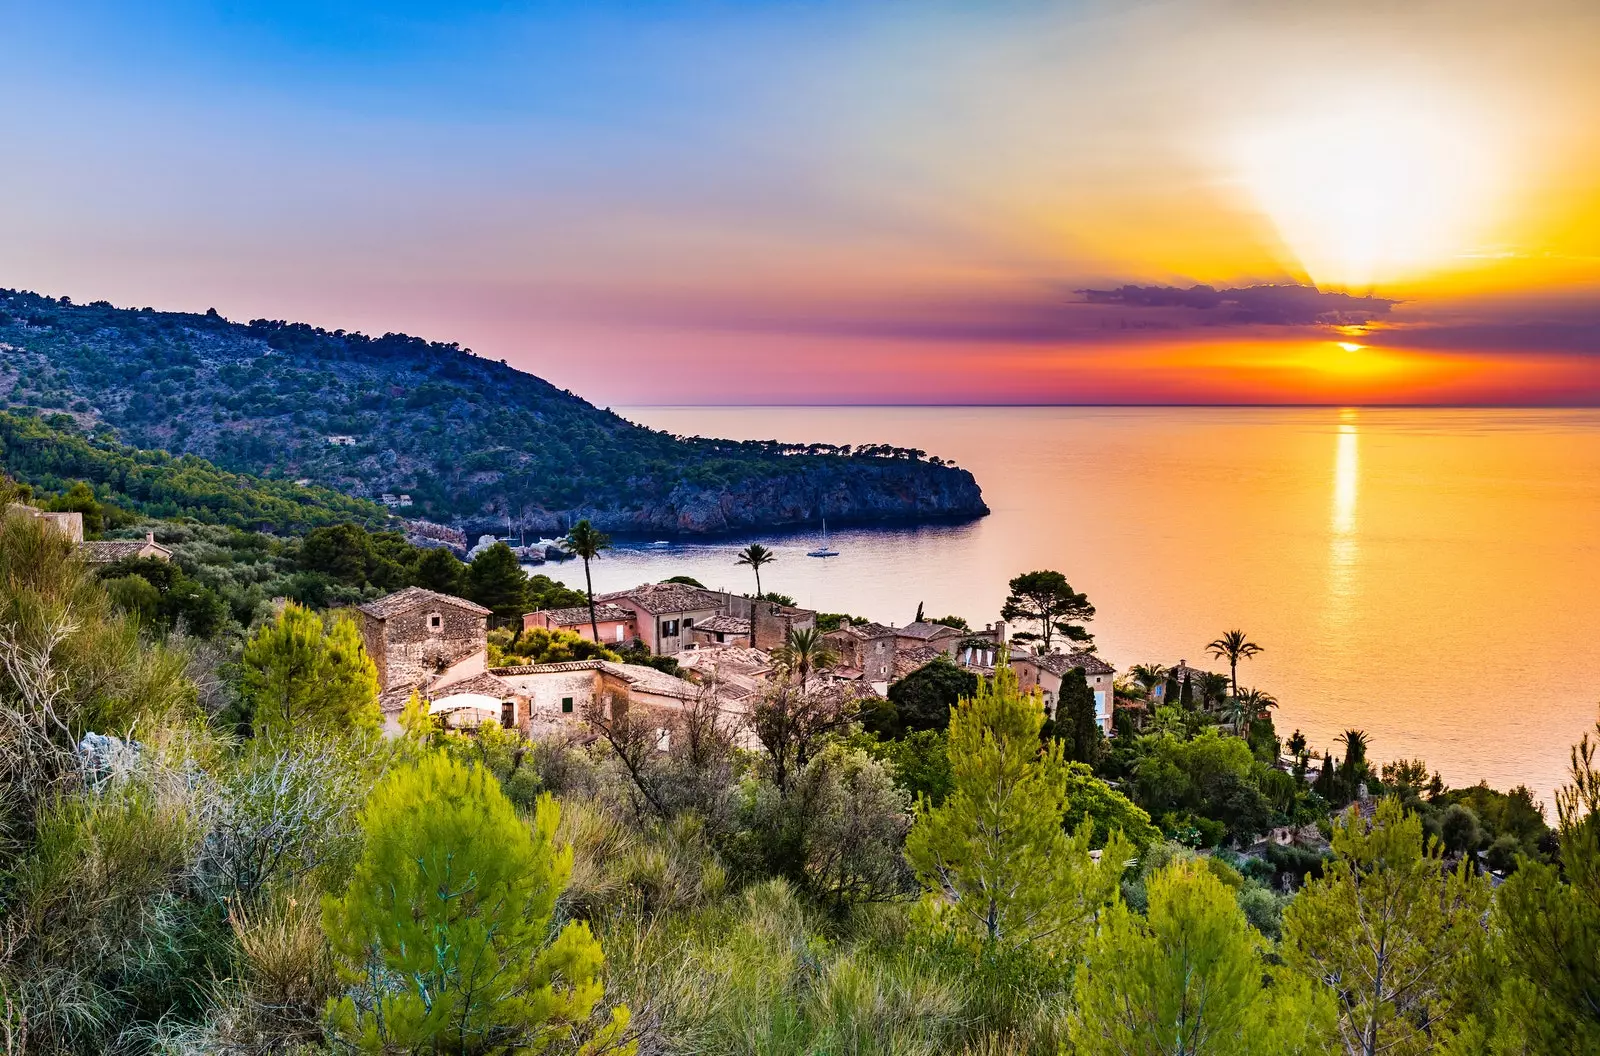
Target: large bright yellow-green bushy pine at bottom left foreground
(444, 932)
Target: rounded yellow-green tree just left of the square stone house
(310, 674)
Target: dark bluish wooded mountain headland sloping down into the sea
(473, 442)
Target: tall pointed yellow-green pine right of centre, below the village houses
(999, 873)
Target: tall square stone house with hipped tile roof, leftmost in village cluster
(423, 639)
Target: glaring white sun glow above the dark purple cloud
(1374, 188)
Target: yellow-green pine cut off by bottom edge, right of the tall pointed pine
(1191, 978)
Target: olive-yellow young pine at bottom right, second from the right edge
(1391, 930)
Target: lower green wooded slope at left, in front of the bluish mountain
(52, 455)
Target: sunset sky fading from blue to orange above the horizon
(825, 202)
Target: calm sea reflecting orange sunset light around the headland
(1425, 575)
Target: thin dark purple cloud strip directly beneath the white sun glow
(1246, 306)
